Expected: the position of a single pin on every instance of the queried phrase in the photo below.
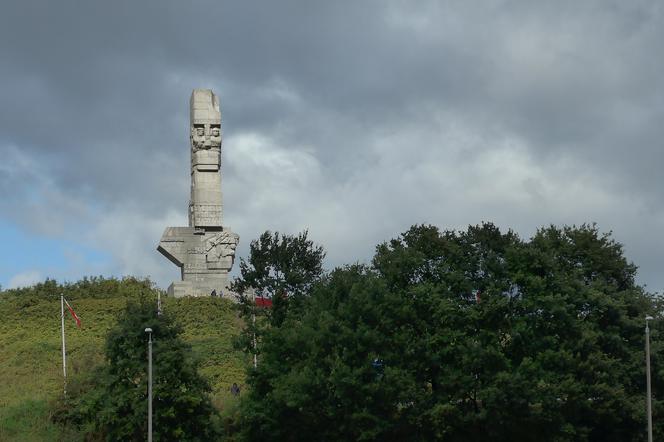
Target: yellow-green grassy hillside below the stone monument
(30, 339)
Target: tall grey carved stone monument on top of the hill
(205, 250)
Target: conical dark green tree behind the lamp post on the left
(116, 405)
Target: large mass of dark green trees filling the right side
(458, 336)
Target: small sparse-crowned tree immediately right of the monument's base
(282, 268)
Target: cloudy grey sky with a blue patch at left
(352, 119)
